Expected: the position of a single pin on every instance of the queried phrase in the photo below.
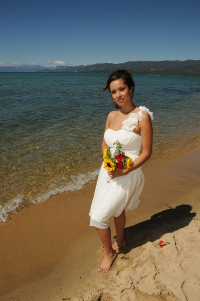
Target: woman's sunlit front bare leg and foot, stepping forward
(105, 236)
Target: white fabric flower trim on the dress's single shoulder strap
(130, 123)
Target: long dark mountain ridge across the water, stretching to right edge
(189, 67)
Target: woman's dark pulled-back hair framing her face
(125, 75)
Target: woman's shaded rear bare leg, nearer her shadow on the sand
(120, 222)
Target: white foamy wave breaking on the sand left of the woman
(58, 186)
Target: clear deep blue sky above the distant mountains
(86, 32)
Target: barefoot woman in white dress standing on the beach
(131, 127)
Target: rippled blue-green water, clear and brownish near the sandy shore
(51, 129)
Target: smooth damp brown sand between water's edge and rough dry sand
(51, 252)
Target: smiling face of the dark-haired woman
(120, 92)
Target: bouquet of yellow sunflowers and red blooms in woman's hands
(119, 160)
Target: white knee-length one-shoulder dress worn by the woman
(121, 193)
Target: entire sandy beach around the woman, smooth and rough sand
(49, 252)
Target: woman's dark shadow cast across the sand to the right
(163, 222)
